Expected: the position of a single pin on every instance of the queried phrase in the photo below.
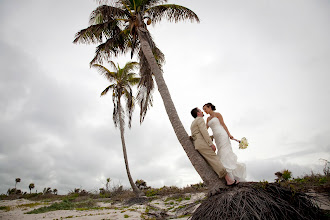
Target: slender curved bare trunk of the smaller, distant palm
(121, 126)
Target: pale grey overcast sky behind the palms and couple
(264, 64)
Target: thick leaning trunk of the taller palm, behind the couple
(205, 171)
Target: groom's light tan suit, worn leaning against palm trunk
(203, 142)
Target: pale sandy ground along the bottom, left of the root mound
(172, 209)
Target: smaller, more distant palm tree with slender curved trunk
(121, 81)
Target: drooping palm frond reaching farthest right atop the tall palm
(171, 12)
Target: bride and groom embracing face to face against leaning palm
(224, 162)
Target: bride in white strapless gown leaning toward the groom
(221, 135)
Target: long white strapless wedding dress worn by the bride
(225, 152)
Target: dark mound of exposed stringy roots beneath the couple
(258, 201)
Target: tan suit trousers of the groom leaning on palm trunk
(213, 160)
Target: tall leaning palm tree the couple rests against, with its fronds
(124, 26)
